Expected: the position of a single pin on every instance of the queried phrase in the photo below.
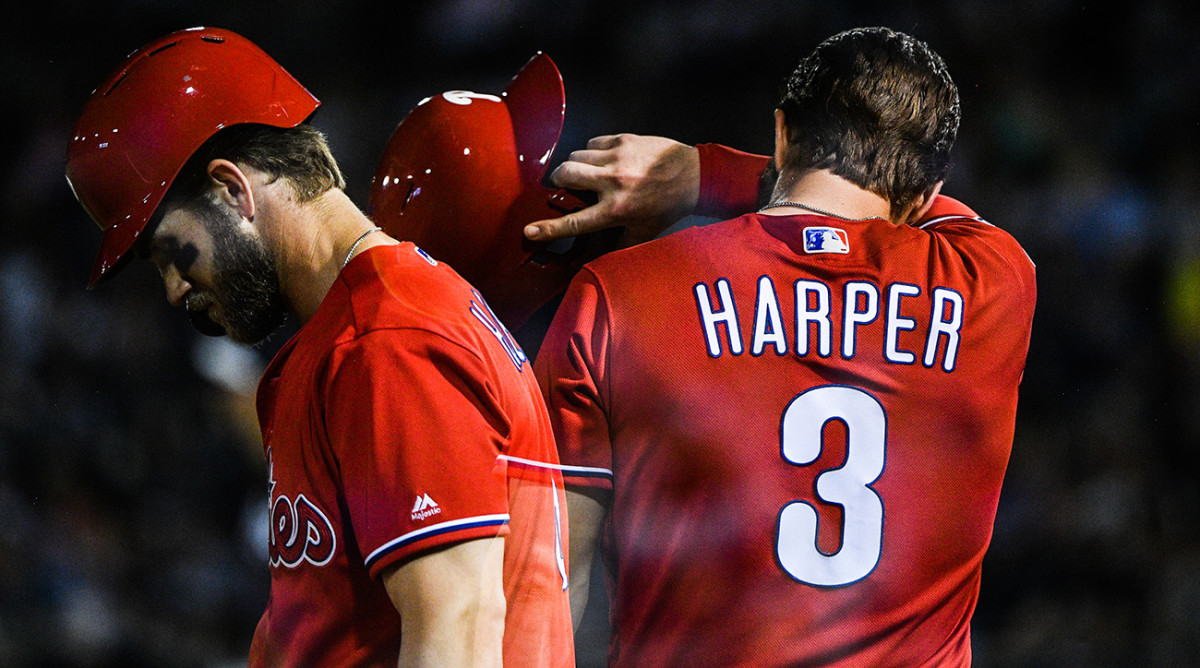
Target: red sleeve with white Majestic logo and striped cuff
(417, 434)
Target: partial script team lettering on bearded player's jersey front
(299, 531)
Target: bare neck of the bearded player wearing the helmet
(313, 245)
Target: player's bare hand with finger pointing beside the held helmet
(644, 184)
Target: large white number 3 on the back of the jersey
(850, 486)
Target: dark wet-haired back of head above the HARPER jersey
(875, 107)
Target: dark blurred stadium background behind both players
(133, 488)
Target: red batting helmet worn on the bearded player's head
(148, 118)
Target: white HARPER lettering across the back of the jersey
(820, 311)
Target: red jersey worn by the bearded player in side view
(401, 418)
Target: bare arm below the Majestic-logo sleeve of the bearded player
(452, 604)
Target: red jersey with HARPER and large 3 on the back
(805, 423)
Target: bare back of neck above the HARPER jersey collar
(825, 191)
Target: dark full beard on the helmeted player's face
(247, 285)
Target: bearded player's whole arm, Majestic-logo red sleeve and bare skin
(392, 440)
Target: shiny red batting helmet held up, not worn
(461, 177)
